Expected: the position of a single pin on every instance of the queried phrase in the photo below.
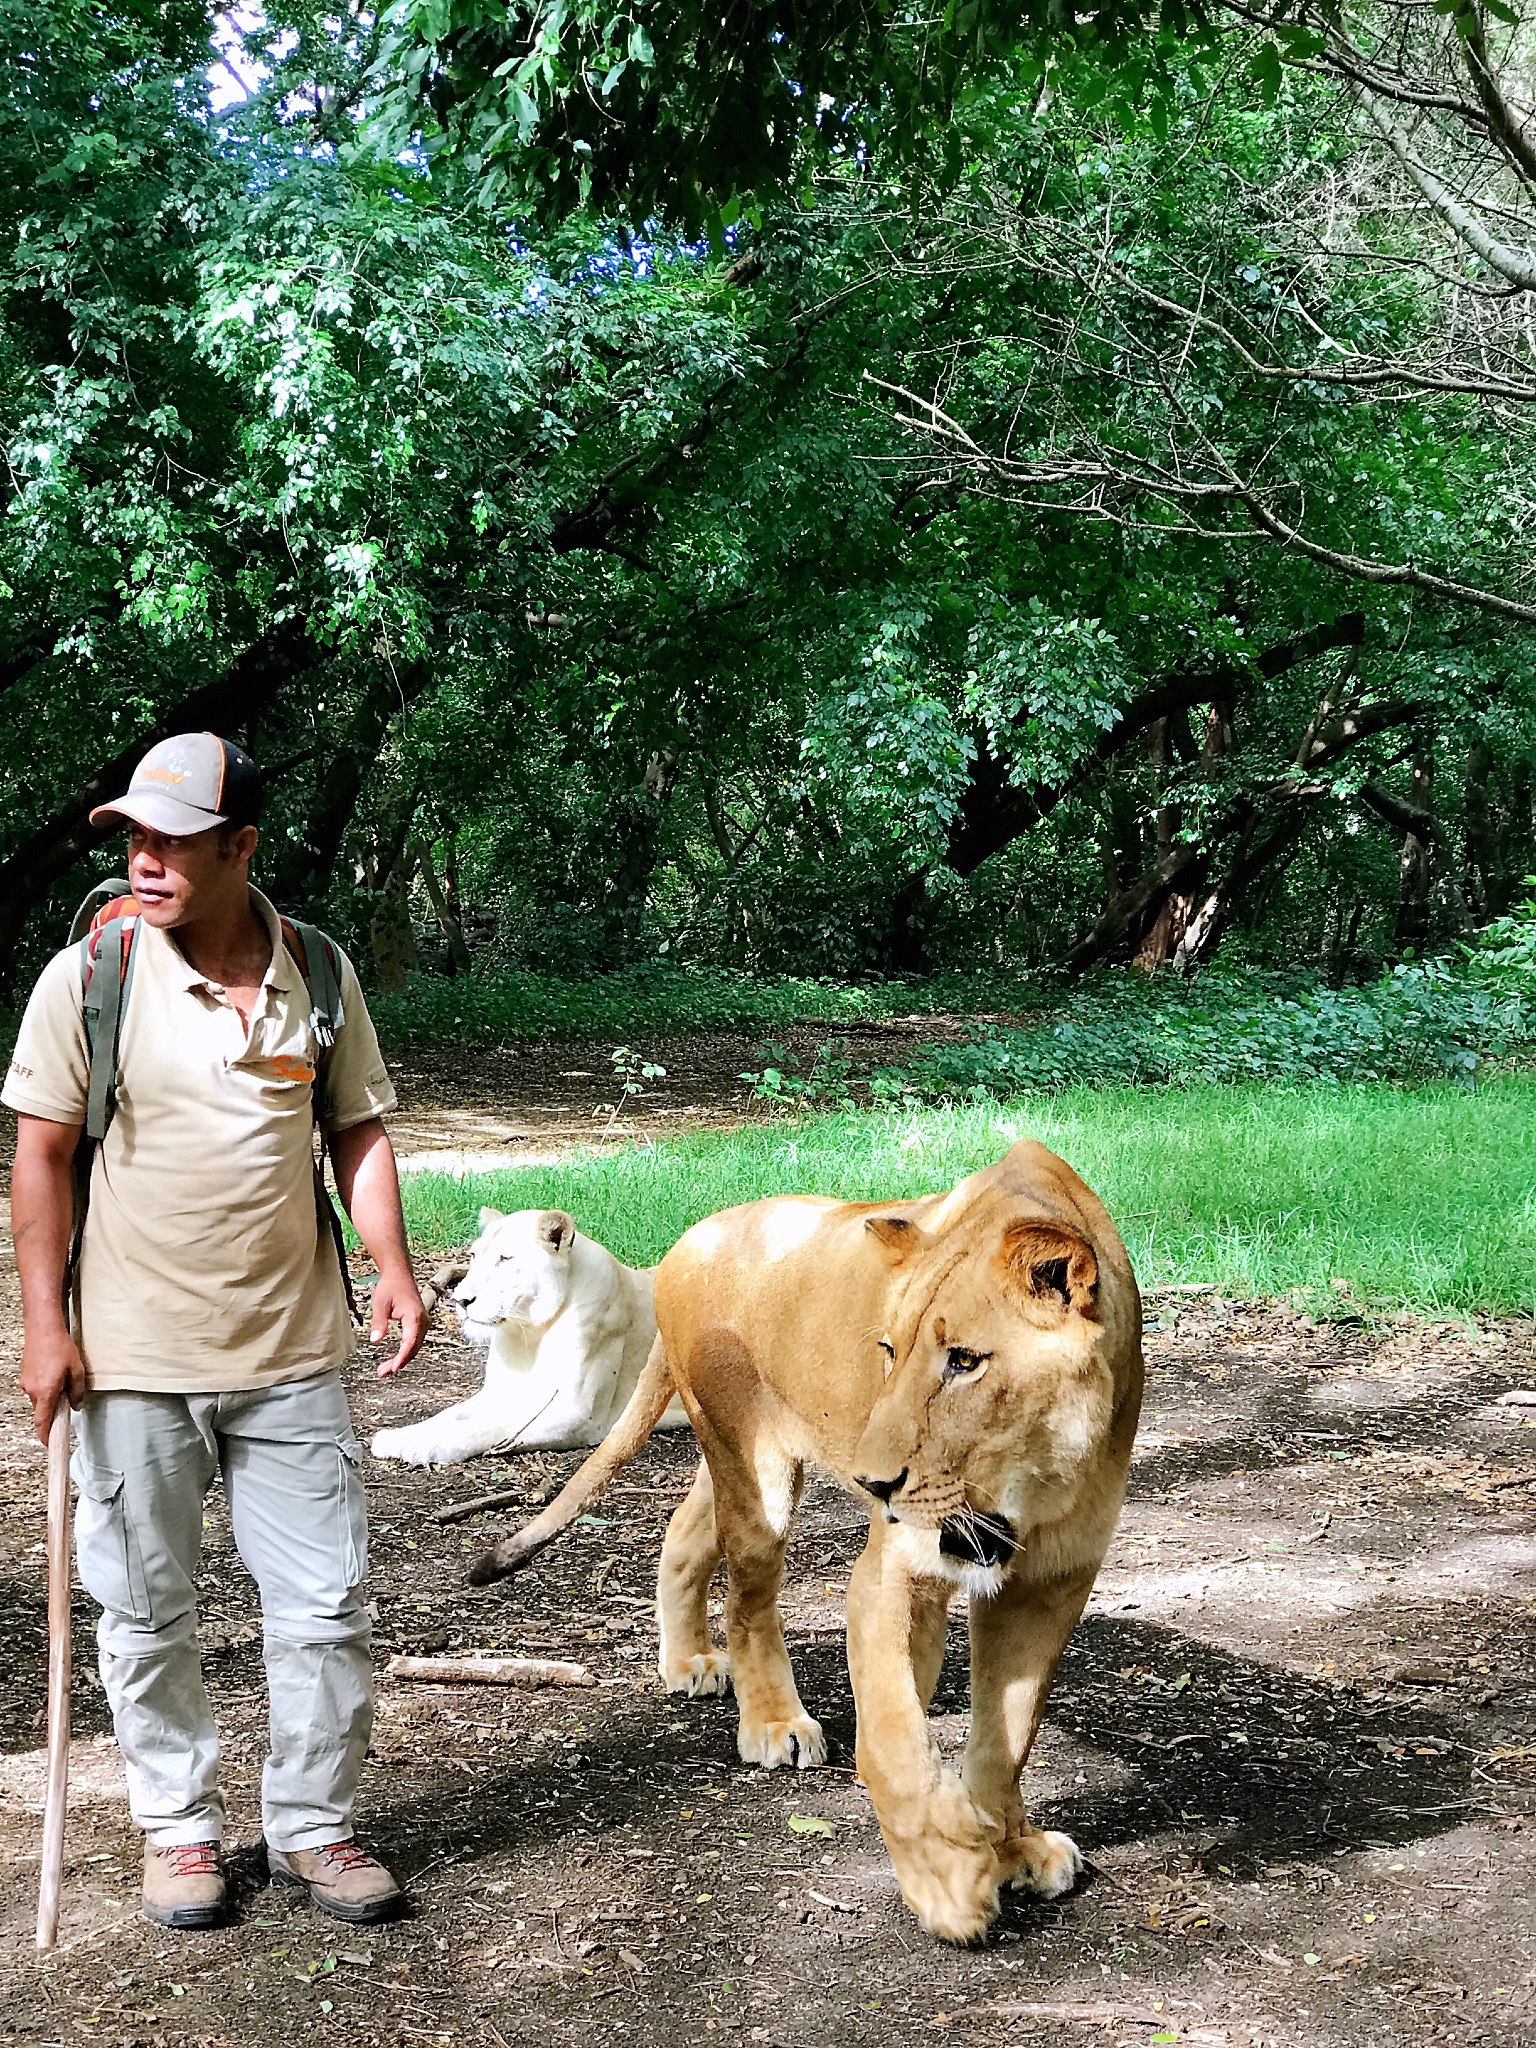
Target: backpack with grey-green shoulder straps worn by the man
(108, 929)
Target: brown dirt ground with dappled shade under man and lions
(1295, 1736)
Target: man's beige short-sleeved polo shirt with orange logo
(204, 1267)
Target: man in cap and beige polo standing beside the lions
(210, 1330)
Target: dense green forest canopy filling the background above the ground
(1048, 497)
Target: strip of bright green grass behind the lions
(1418, 1199)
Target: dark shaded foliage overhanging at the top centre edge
(699, 112)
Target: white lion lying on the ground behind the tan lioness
(566, 1332)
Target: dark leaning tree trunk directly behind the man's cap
(222, 706)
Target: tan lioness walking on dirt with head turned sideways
(970, 1363)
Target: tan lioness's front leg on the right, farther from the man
(1017, 1641)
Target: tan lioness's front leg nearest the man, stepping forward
(939, 1842)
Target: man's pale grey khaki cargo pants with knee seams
(290, 1467)
